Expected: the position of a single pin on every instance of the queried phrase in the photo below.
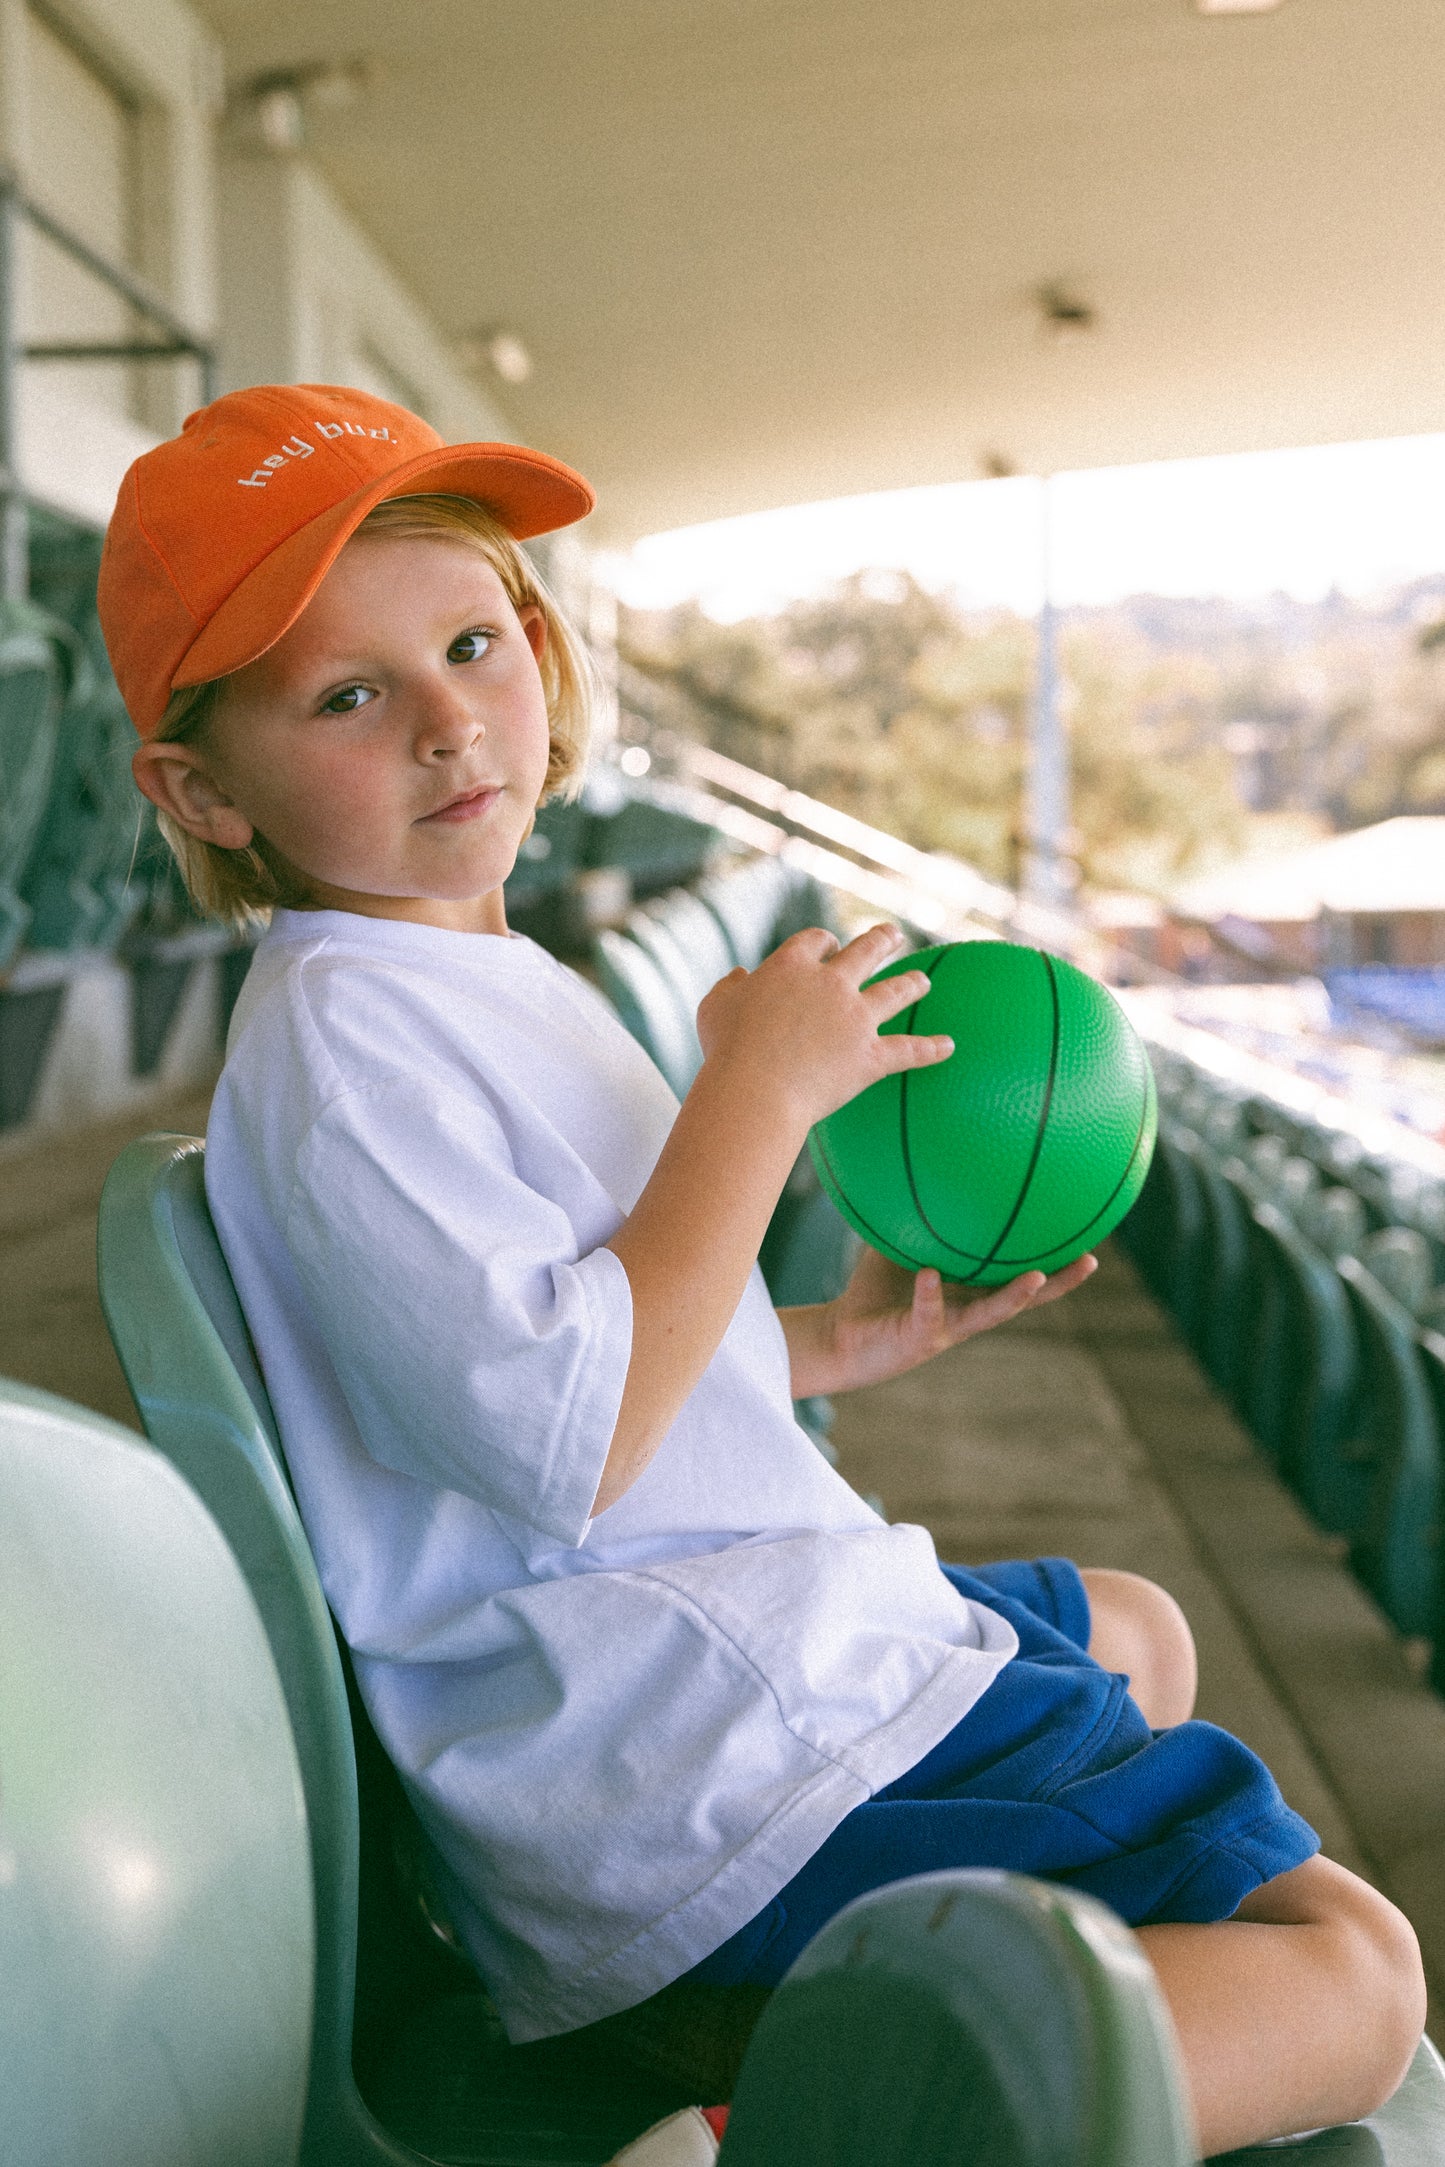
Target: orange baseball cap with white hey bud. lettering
(222, 536)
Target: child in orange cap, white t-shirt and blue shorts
(664, 1691)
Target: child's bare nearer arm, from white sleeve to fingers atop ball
(783, 1046)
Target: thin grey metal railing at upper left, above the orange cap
(174, 341)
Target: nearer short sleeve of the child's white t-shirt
(476, 1347)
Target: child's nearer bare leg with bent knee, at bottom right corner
(1301, 2010)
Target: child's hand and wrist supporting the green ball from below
(889, 1321)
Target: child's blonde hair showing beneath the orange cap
(248, 885)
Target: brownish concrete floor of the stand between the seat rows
(1082, 1431)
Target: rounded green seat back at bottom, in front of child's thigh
(965, 2016)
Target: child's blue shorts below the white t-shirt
(1056, 1774)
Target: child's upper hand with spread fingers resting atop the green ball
(803, 1028)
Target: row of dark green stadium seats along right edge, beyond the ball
(1307, 1280)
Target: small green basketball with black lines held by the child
(1017, 1154)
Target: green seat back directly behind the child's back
(185, 1349)
